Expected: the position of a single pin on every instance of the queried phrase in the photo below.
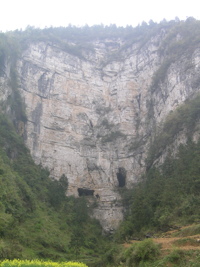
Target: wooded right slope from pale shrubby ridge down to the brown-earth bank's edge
(168, 195)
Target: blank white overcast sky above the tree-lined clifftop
(17, 14)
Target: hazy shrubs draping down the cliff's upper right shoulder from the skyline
(181, 40)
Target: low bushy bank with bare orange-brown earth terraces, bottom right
(178, 248)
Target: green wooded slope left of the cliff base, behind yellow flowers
(37, 220)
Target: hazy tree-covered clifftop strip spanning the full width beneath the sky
(78, 40)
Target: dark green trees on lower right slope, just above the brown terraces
(171, 196)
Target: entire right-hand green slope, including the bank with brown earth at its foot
(166, 198)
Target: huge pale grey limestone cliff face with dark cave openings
(91, 117)
